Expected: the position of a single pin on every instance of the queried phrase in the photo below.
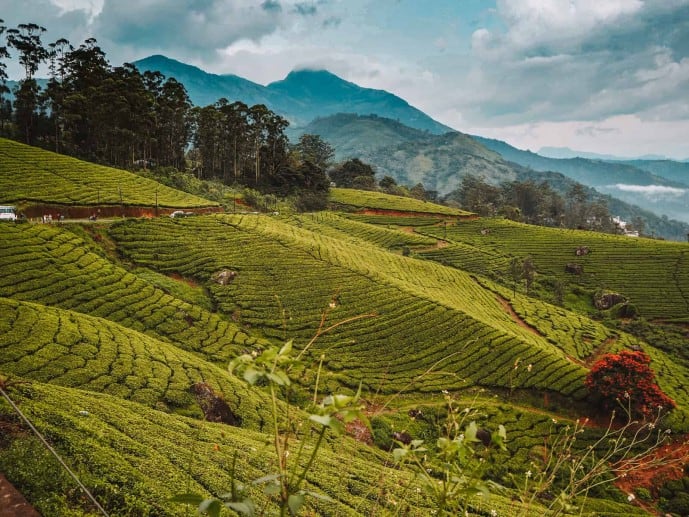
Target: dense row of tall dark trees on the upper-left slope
(124, 118)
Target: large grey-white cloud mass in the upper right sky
(578, 59)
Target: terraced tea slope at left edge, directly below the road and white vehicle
(52, 266)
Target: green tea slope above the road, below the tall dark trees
(29, 174)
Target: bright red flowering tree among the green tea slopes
(628, 379)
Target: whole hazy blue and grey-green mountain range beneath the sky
(401, 141)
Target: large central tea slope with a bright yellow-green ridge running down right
(420, 313)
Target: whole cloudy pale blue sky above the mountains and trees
(603, 76)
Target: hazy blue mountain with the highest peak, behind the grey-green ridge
(302, 96)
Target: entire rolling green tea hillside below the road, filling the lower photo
(111, 331)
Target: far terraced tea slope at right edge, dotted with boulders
(652, 274)
